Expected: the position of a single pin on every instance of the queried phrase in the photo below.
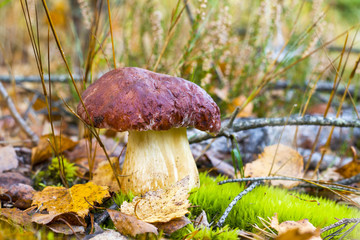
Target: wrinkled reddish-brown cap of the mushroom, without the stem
(132, 98)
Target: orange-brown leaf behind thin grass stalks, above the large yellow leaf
(44, 150)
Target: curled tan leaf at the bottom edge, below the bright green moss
(299, 230)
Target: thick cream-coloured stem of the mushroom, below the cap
(156, 159)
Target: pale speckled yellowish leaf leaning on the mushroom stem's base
(161, 205)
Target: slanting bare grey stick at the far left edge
(17, 117)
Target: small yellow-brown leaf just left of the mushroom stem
(104, 175)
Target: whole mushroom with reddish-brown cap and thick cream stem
(155, 109)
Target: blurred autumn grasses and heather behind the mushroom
(264, 56)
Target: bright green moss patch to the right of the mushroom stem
(264, 202)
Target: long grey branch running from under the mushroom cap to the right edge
(245, 124)
